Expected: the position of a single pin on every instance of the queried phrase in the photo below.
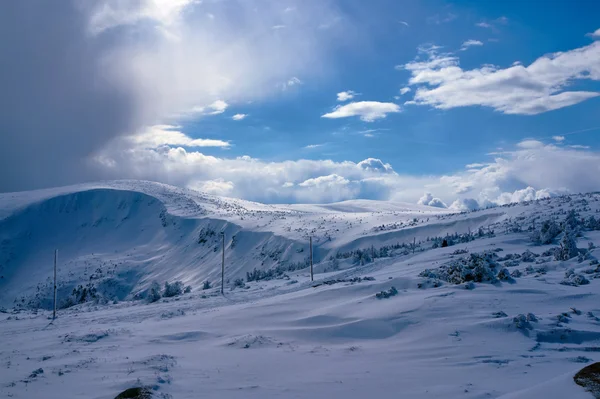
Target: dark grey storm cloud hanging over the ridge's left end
(57, 104)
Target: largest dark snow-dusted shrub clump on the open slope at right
(476, 267)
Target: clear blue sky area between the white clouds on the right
(420, 139)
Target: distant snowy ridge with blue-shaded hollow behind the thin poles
(122, 235)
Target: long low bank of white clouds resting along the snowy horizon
(547, 168)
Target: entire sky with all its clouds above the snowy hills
(445, 103)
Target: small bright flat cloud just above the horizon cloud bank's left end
(159, 135)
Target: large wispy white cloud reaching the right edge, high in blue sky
(540, 87)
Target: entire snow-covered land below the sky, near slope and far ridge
(526, 324)
